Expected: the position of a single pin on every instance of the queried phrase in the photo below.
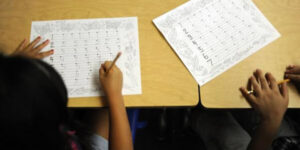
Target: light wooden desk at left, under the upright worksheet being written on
(165, 80)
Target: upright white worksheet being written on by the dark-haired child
(81, 46)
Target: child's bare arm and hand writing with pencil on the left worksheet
(119, 130)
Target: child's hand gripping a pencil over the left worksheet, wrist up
(112, 81)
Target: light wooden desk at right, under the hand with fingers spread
(223, 92)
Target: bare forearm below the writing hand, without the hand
(119, 131)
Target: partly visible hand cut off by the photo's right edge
(292, 72)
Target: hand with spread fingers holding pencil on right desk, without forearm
(269, 99)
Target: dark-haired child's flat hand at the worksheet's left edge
(31, 50)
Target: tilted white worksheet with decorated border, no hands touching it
(210, 36)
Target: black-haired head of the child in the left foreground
(33, 101)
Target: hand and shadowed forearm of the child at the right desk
(271, 102)
